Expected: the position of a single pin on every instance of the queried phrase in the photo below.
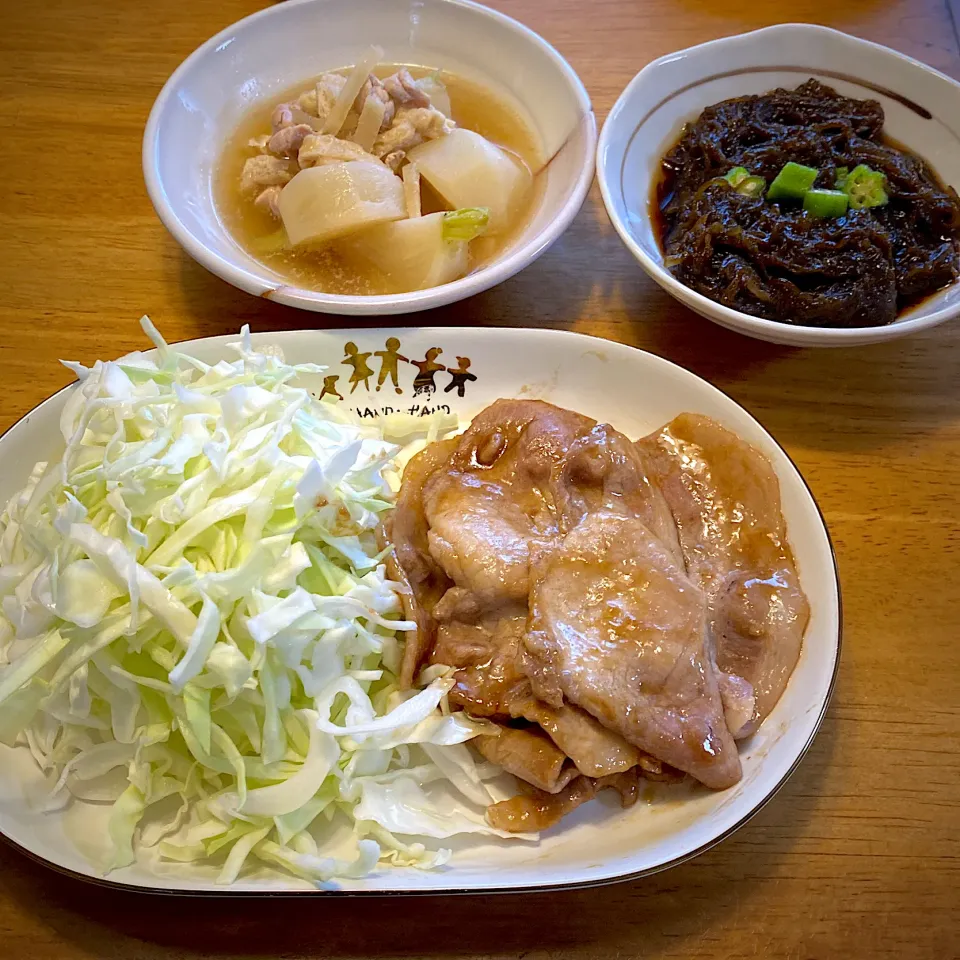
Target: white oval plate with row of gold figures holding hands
(636, 392)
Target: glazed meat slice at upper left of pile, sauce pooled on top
(495, 500)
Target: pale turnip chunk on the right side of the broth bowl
(467, 170)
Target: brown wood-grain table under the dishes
(858, 856)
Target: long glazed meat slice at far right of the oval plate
(725, 498)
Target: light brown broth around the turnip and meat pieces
(473, 106)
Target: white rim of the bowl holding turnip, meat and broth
(476, 282)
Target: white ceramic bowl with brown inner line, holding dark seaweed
(922, 110)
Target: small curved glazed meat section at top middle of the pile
(603, 470)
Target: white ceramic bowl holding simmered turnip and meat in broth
(267, 53)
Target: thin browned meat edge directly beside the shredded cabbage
(411, 561)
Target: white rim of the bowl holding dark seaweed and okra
(735, 319)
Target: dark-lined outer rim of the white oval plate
(519, 333)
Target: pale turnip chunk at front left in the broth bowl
(322, 203)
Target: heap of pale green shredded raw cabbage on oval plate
(196, 624)
